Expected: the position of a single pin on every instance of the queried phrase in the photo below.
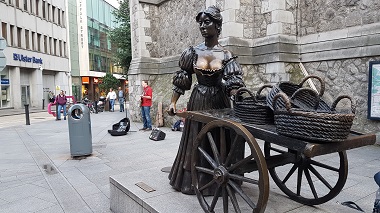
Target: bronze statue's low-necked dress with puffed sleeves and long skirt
(211, 92)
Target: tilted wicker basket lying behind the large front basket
(302, 100)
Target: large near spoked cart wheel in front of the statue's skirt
(222, 153)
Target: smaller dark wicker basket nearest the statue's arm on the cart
(252, 109)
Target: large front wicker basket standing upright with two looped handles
(313, 125)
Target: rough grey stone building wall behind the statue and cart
(274, 40)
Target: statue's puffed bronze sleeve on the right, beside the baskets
(233, 75)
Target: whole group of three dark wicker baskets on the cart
(296, 111)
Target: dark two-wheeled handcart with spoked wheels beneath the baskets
(309, 173)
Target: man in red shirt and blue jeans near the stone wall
(146, 103)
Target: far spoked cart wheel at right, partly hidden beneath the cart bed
(321, 178)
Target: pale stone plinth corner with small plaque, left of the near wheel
(126, 196)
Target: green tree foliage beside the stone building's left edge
(121, 35)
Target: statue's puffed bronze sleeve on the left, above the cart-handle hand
(182, 79)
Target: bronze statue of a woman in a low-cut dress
(218, 75)
